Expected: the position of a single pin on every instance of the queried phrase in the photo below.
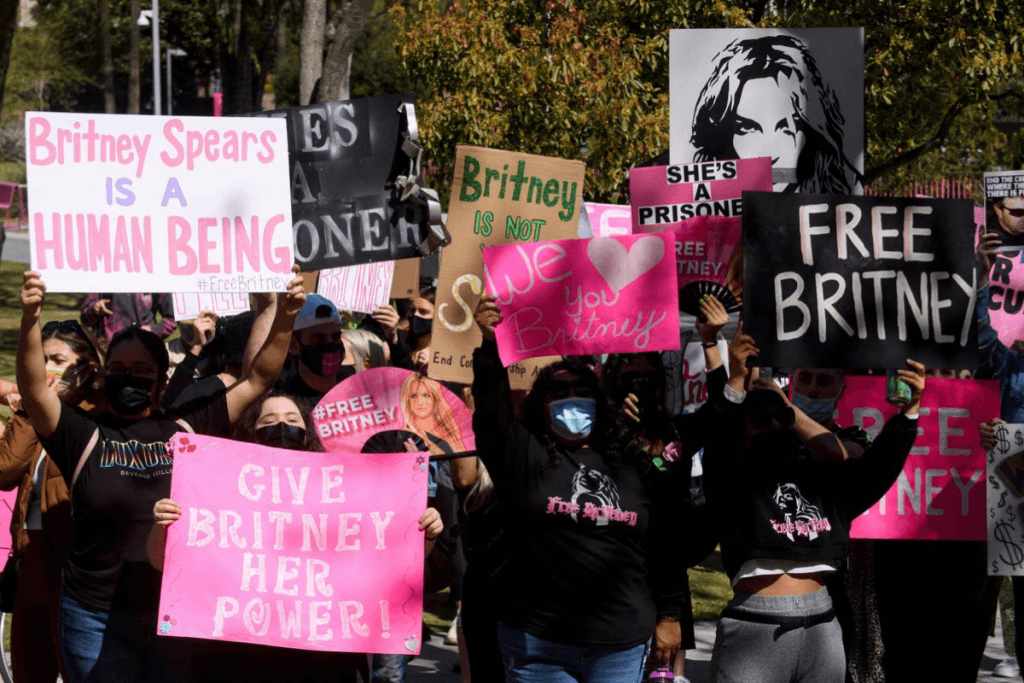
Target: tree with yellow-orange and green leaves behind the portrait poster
(588, 79)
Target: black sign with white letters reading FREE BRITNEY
(860, 282)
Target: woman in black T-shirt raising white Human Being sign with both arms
(117, 467)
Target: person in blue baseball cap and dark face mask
(317, 353)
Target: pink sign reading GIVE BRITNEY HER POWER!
(306, 550)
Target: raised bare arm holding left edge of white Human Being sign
(38, 401)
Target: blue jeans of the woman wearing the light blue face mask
(532, 660)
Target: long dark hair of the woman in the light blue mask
(608, 438)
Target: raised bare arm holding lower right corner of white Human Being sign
(269, 363)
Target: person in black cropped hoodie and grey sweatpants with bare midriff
(786, 521)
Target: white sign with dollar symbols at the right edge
(1006, 502)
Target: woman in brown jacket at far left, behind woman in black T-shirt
(41, 525)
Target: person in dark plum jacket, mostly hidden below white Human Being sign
(110, 314)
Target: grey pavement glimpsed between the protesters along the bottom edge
(438, 660)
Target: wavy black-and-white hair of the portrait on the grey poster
(823, 166)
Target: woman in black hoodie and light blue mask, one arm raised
(585, 590)
